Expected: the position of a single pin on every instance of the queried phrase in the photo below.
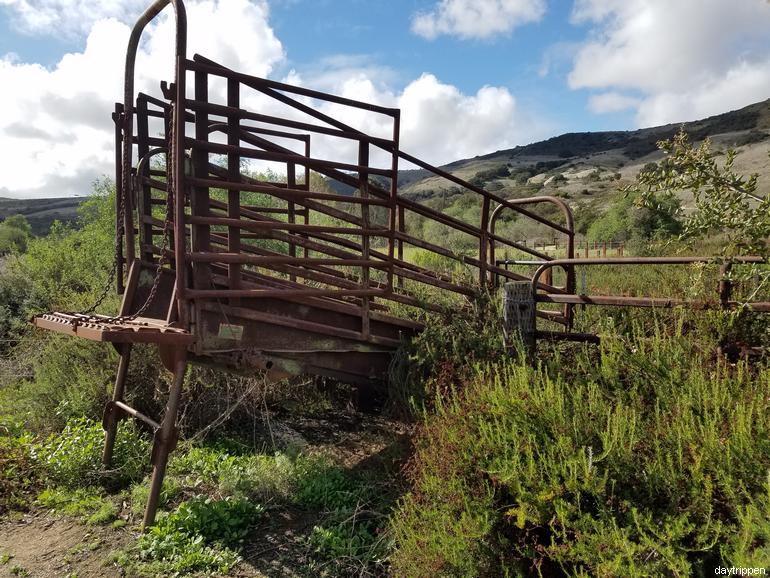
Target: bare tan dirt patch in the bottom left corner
(44, 547)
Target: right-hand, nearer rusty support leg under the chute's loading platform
(165, 441)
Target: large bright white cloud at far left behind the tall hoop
(56, 135)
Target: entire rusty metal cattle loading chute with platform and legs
(217, 266)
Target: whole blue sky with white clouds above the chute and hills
(471, 76)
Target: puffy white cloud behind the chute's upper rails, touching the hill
(439, 123)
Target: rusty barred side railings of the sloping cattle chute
(236, 237)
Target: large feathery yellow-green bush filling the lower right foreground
(652, 462)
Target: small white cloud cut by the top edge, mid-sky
(476, 18)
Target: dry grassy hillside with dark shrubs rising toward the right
(592, 162)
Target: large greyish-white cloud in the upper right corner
(687, 60)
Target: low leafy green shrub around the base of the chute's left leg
(72, 458)
